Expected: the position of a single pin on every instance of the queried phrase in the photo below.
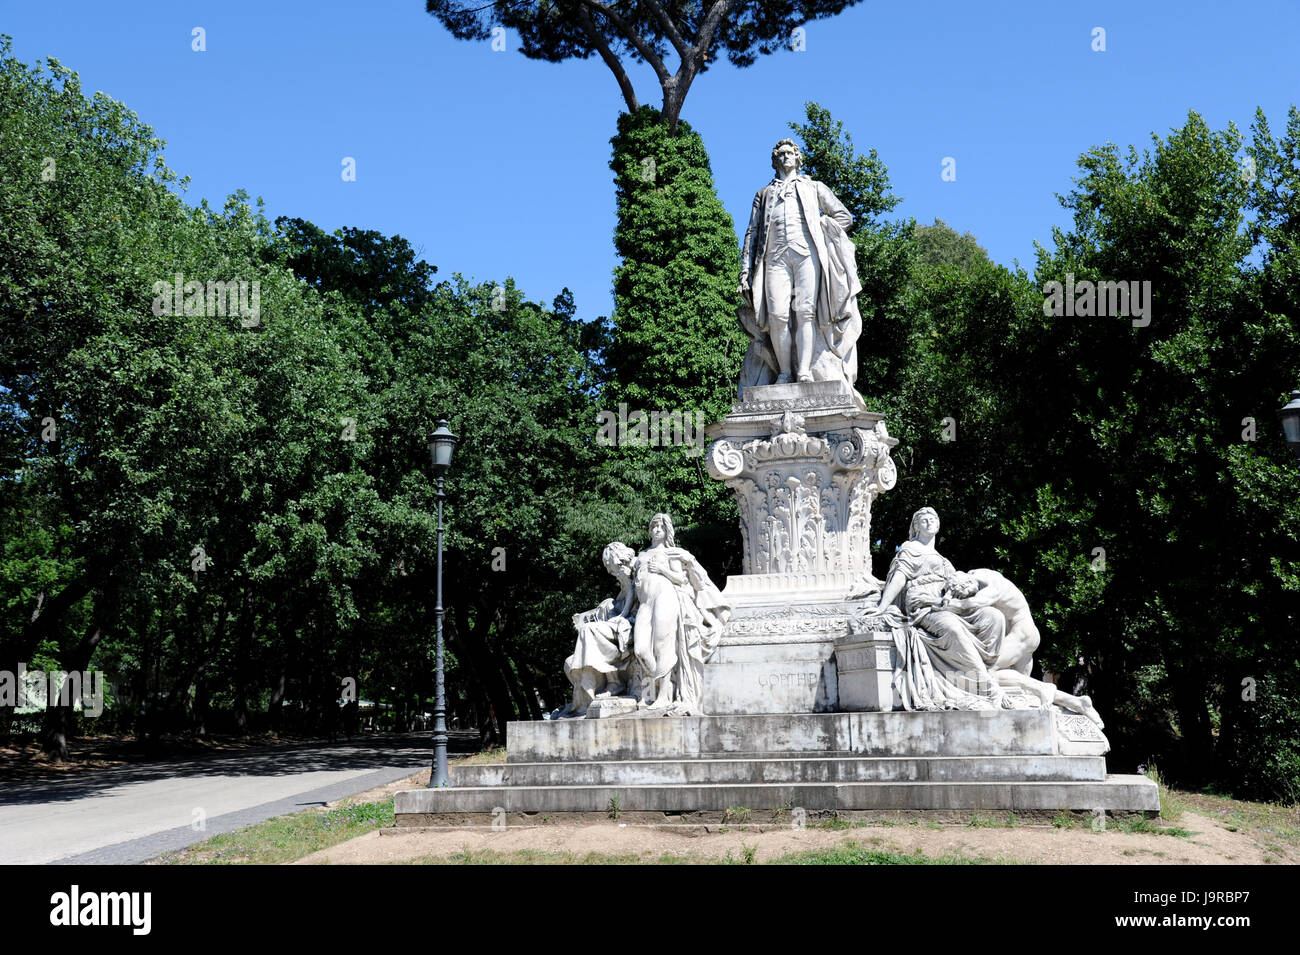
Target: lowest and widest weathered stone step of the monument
(1113, 793)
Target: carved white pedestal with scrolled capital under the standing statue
(805, 463)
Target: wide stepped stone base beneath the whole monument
(956, 761)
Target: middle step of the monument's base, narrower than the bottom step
(740, 770)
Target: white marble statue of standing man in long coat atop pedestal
(799, 281)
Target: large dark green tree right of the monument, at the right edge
(1146, 448)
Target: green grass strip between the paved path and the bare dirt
(287, 837)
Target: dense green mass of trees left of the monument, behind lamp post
(231, 514)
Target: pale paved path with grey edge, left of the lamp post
(132, 814)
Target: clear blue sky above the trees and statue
(493, 164)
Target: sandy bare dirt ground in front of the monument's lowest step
(1217, 832)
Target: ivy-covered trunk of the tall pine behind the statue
(677, 344)
